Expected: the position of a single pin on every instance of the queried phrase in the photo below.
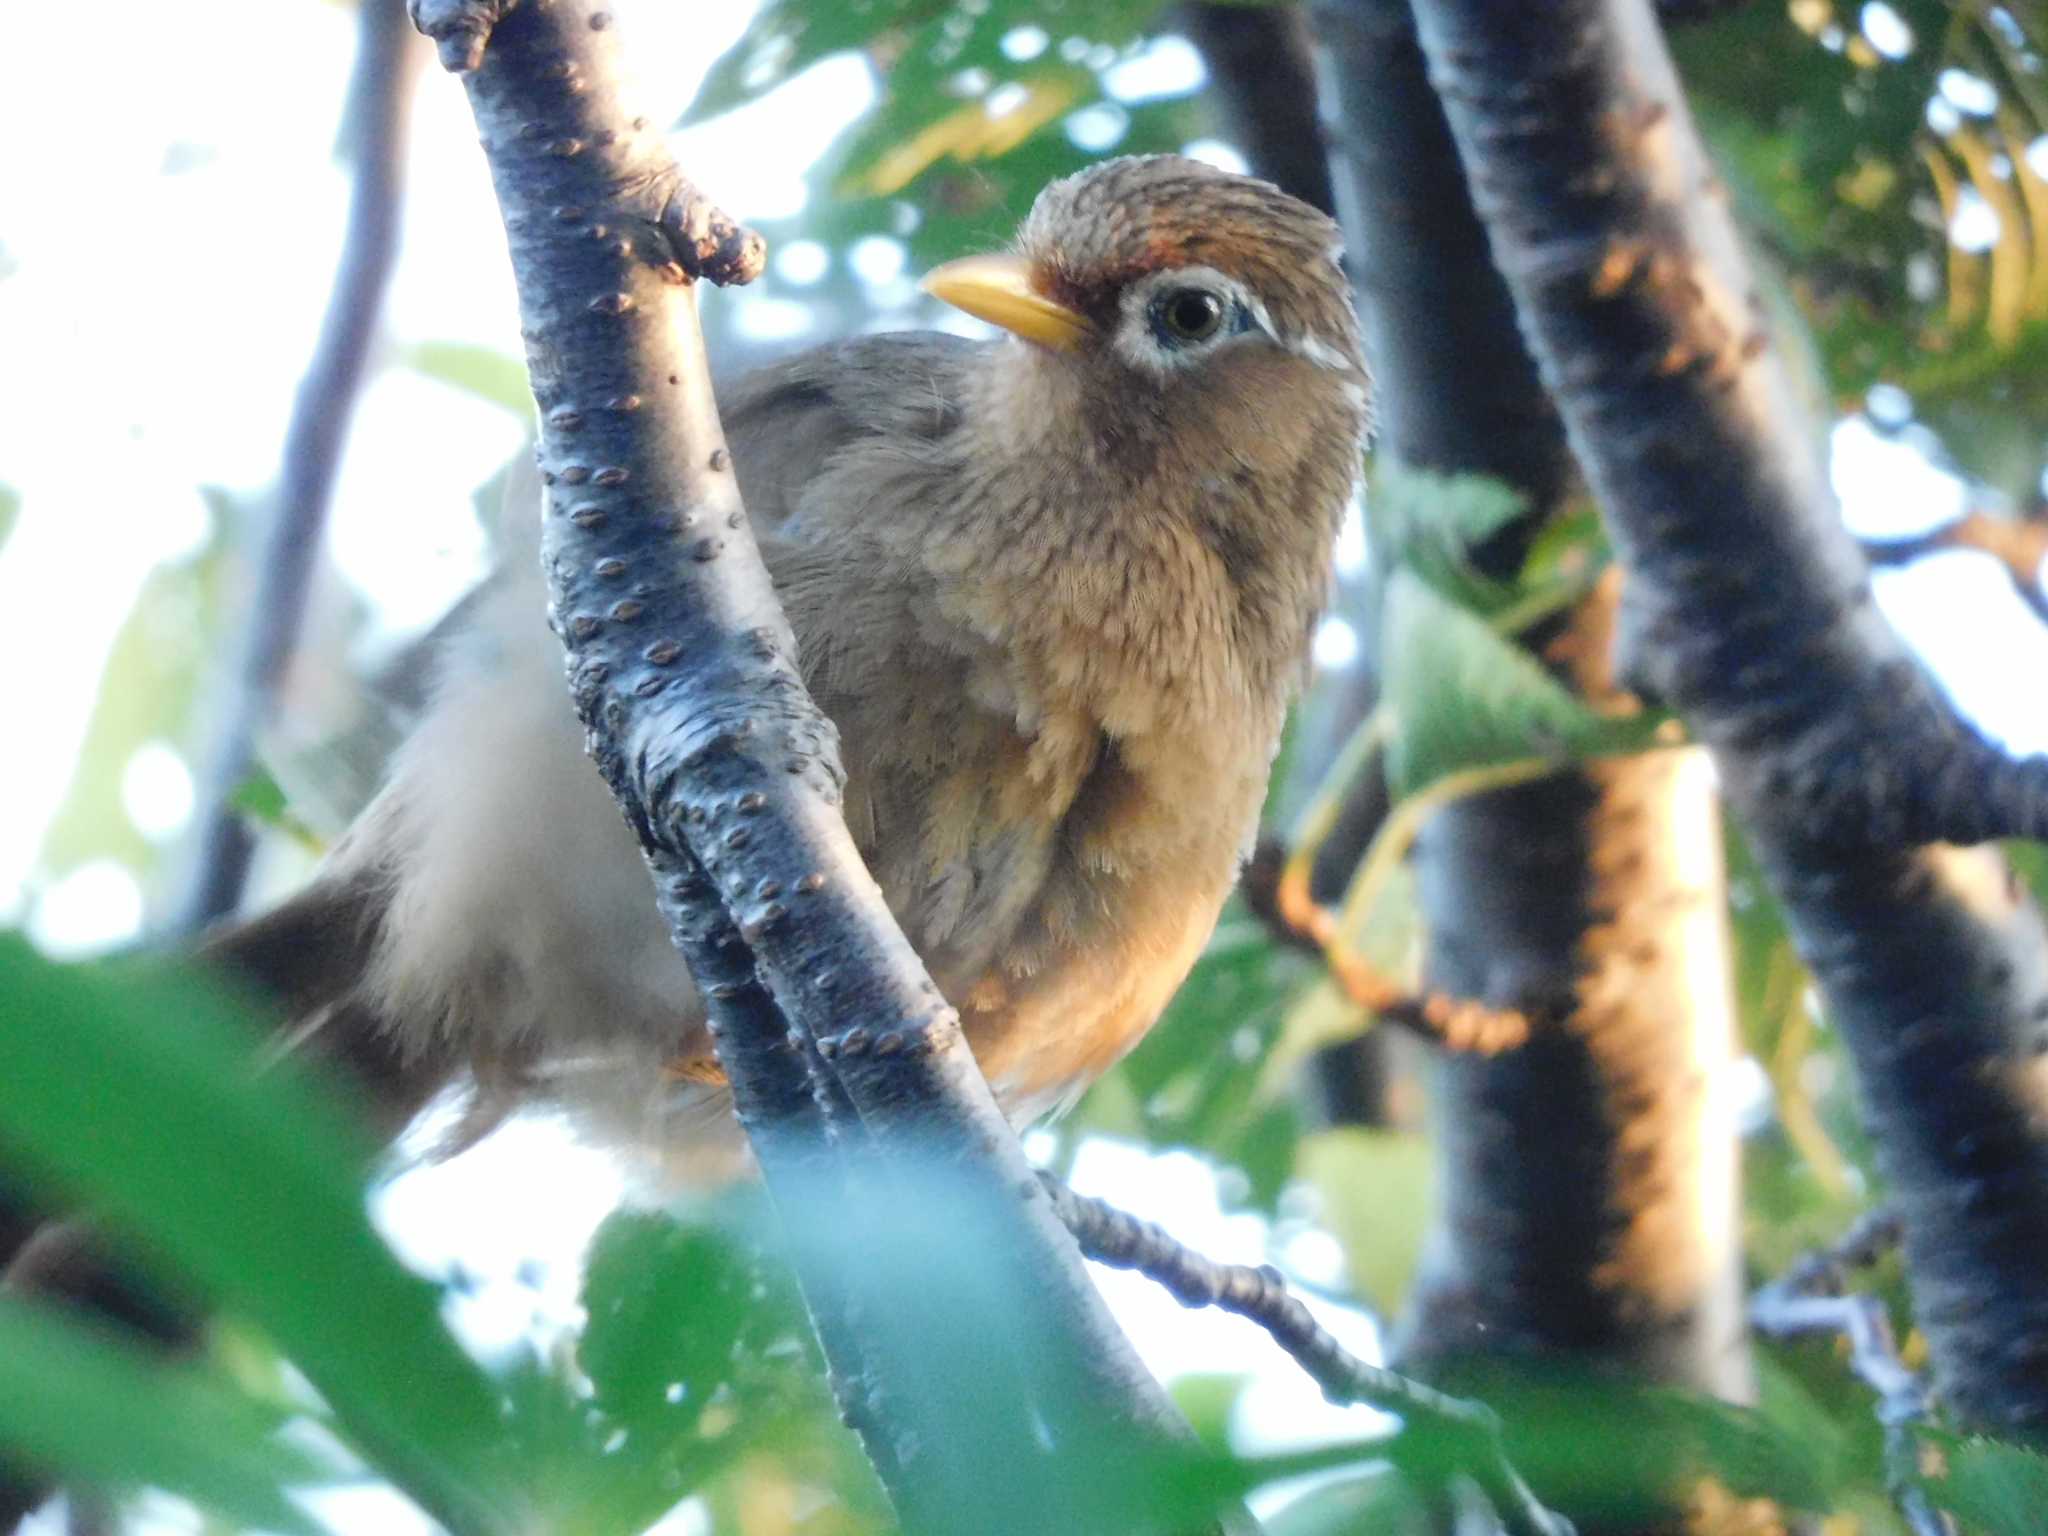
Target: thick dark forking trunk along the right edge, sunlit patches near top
(1750, 607)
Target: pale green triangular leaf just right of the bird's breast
(1465, 697)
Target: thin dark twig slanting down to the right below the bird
(1261, 1295)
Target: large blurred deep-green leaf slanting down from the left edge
(132, 1089)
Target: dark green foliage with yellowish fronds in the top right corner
(1852, 163)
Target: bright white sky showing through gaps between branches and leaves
(157, 312)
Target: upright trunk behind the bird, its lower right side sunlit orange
(1588, 1181)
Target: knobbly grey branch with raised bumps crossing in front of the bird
(683, 671)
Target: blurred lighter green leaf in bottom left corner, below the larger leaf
(108, 1414)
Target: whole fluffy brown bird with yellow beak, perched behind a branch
(1056, 591)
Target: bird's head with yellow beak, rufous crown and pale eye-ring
(1162, 275)
